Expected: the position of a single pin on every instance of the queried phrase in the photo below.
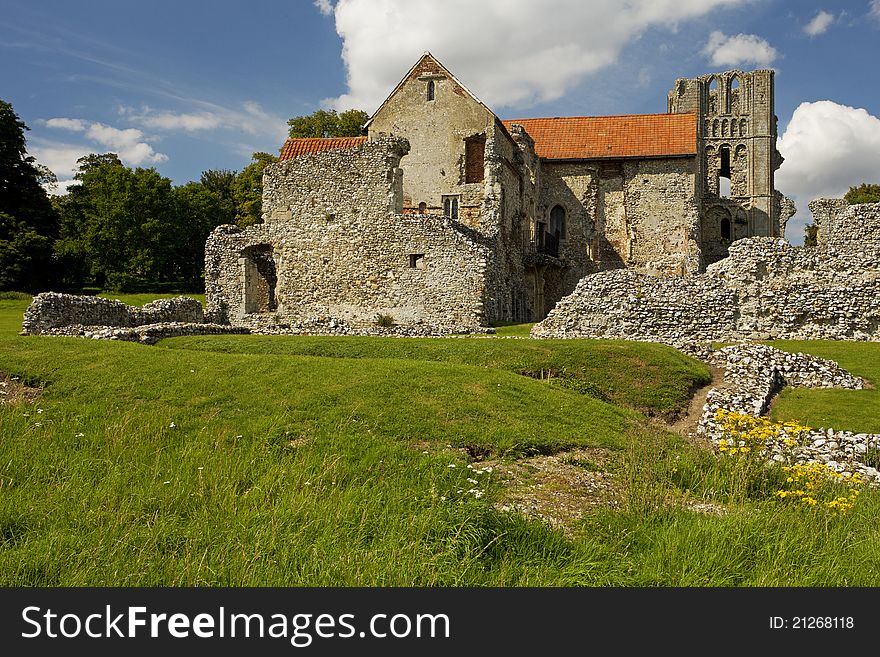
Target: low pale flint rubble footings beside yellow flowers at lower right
(754, 374)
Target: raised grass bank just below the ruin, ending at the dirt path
(650, 378)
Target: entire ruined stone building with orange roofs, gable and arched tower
(444, 215)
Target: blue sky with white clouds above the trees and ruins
(187, 86)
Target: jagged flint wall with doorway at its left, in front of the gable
(335, 247)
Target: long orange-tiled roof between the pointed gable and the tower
(594, 137)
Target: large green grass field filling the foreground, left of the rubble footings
(293, 461)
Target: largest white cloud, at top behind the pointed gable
(510, 53)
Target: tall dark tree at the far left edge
(28, 222)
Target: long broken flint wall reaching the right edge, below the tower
(765, 289)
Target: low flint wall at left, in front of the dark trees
(50, 310)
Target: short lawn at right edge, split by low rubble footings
(855, 410)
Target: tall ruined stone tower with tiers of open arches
(736, 132)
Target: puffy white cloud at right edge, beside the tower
(827, 148)
